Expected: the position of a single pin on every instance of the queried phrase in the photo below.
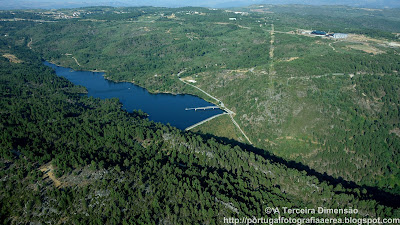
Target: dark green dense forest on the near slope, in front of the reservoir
(117, 167)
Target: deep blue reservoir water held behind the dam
(164, 108)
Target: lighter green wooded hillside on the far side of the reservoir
(331, 104)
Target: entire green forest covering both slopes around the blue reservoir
(323, 115)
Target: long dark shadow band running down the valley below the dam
(374, 193)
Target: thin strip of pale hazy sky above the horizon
(23, 4)
